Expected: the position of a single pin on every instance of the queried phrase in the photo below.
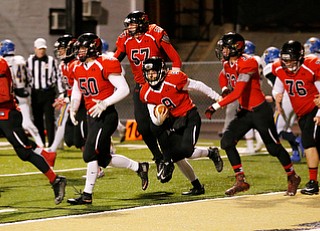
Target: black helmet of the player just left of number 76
(234, 42)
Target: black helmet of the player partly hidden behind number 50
(67, 42)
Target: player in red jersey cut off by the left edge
(11, 127)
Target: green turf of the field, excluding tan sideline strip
(31, 196)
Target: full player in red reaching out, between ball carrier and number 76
(254, 112)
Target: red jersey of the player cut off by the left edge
(6, 88)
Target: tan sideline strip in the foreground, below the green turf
(272, 211)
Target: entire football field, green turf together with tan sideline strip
(263, 207)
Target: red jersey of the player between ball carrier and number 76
(246, 89)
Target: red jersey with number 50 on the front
(93, 80)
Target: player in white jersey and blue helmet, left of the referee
(22, 90)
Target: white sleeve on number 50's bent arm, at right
(122, 89)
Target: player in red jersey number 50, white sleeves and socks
(99, 81)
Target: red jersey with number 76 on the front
(300, 86)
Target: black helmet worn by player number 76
(292, 56)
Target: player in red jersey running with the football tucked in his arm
(177, 134)
